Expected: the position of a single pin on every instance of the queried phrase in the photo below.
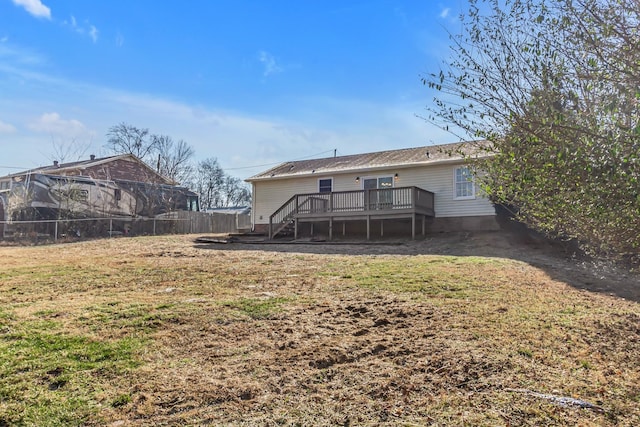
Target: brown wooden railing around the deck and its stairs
(374, 201)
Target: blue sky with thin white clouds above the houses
(251, 83)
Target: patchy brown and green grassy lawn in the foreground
(163, 331)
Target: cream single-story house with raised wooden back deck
(384, 193)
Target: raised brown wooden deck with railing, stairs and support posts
(389, 203)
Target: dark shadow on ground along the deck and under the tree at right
(554, 259)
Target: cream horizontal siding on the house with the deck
(269, 195)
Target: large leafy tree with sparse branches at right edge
(554, 85)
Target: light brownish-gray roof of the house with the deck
(378, 160)
